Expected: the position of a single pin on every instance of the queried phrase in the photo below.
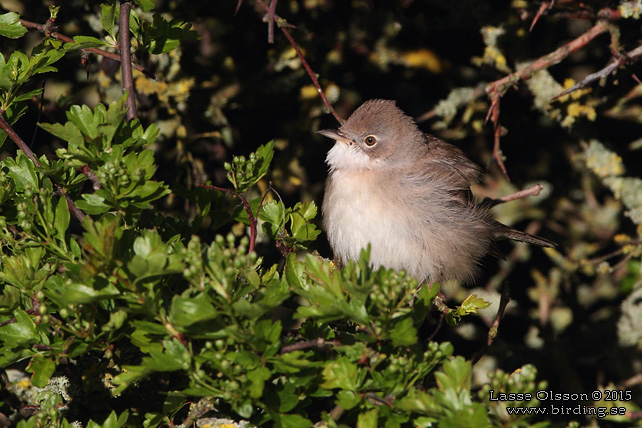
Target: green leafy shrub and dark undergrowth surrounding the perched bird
(133, 296)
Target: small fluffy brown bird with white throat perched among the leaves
(407, 195)
